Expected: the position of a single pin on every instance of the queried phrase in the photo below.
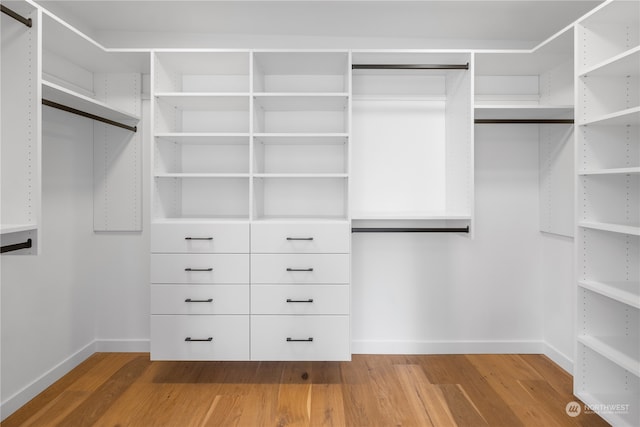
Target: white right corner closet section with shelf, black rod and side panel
(536, 88)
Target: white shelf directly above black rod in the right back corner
(523, 111)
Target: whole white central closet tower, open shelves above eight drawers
(250, 144)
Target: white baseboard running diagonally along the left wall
(13, 403)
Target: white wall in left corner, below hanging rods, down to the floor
(86, 291)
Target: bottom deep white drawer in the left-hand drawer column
(221, 337)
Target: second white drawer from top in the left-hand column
(199, 268)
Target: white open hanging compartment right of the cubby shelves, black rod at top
(413, 135)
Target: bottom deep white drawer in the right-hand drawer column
(300, 338)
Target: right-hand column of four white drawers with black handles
(300, 291)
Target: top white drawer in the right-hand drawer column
(301, 238)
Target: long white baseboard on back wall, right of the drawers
(447, 347)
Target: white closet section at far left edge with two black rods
(21, 122)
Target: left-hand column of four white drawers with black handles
(200, 291)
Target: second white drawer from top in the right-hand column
(299, 268)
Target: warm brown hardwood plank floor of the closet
(127, 389)
